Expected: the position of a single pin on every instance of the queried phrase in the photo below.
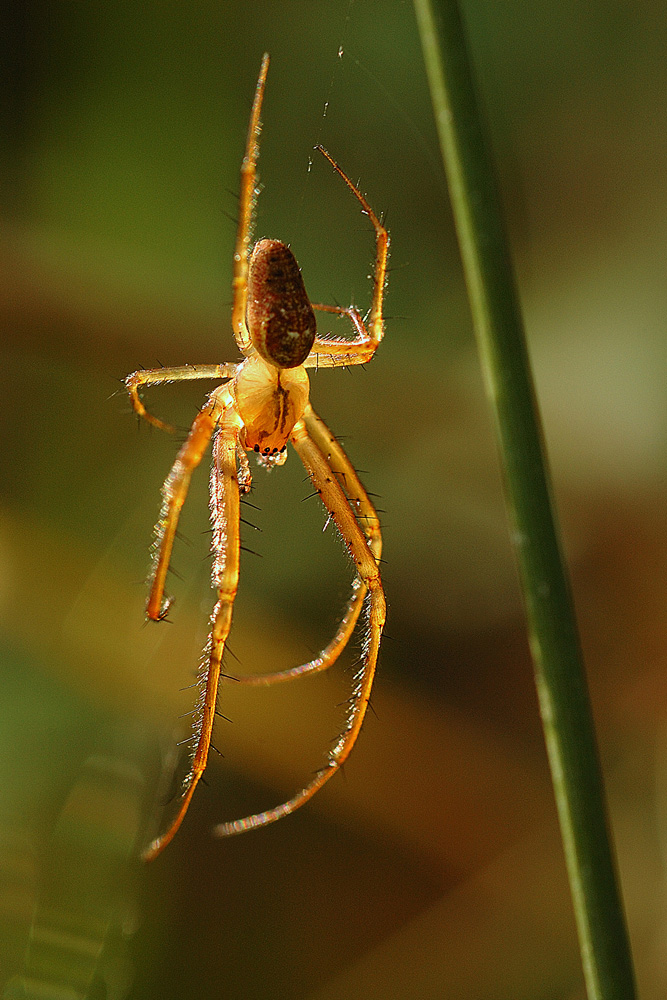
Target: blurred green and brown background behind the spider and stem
(432, 867)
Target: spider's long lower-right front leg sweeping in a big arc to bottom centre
(335, 501)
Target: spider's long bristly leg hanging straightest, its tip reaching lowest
(225, 515)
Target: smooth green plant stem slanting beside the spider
(554, 641)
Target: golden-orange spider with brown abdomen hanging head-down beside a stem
(261, 405)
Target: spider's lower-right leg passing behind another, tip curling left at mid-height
(370, 525)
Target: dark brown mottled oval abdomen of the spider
(280, 317)
